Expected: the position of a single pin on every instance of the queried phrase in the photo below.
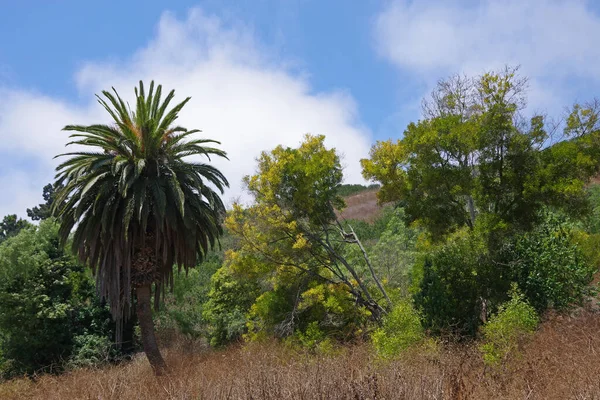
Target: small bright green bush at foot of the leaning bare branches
(401, 329)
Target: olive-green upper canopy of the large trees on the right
(474, 155)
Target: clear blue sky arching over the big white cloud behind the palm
(331, 41)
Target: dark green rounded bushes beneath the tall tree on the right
(463, 280)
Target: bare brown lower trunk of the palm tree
(144, 314)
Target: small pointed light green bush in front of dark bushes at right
(514, 322)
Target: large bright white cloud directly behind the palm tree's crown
(240, 96)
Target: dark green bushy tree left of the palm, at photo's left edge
(47, 301)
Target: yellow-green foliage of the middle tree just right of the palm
(293, 250)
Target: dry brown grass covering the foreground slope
(561, 362)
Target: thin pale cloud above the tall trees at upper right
(553, 40)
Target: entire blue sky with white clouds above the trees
(264, 72)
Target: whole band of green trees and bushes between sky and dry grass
(489, 222)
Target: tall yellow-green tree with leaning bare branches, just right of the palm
(292, 235)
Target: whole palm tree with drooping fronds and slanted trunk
(137, 206)
